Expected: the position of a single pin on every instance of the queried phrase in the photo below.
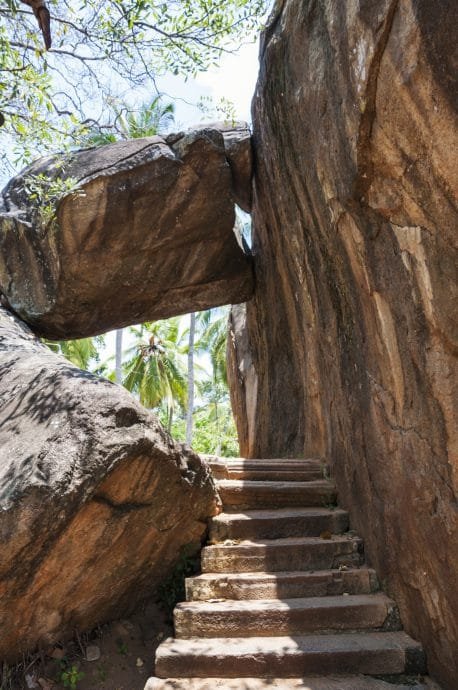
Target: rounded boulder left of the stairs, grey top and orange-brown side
(95, 499)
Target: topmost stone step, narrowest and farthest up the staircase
(267, 470)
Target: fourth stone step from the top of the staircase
(274, 555)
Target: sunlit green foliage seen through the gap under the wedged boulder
(154, 369)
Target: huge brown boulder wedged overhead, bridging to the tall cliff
(141, 230)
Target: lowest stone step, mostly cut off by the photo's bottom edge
(340, 682)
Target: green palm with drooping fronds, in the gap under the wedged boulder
(156, 370)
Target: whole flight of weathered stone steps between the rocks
(285, 599)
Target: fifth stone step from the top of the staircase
(283, 585)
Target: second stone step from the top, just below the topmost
(246, 495)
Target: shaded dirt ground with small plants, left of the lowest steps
(122, 652)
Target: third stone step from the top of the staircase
(280, 523)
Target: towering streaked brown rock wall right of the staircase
(353, 331)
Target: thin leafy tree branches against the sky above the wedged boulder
(102, 51)
